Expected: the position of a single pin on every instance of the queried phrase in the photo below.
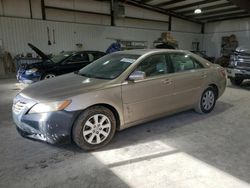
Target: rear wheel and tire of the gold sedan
(207, 101)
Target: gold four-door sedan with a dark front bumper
(117, 91)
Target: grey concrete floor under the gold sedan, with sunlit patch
(184, 150)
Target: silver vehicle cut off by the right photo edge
(239, 66)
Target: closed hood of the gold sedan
(63, 87)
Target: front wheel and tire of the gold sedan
(89, 134)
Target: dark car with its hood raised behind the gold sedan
(62, 63)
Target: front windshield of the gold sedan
(109, 66)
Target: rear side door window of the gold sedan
(183, 62)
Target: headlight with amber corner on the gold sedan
(49, 107)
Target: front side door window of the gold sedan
(154, 65)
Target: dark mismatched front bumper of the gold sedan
(52, 127)
